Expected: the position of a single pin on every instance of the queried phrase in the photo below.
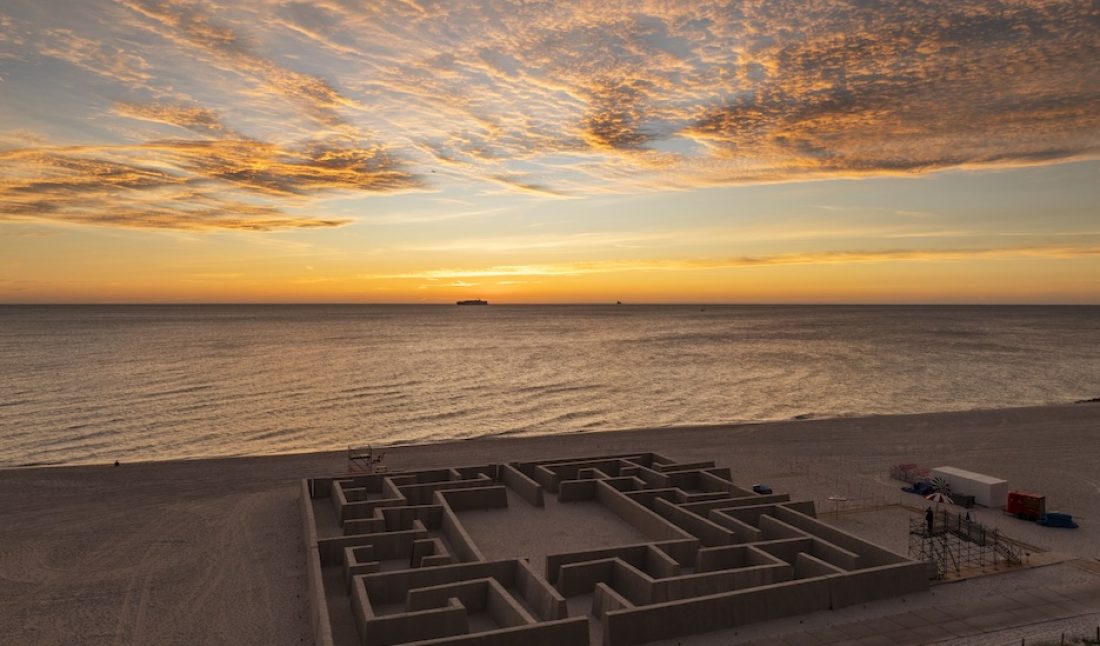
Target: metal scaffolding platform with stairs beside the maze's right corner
(953, 543)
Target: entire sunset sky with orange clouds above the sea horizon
(421, 151)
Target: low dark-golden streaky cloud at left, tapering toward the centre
(213, 184)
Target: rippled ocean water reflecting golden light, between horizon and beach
(84, 385)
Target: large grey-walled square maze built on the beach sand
(610, 550)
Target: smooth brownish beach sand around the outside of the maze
(211, 552)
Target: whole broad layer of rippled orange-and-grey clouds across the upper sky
(280, 103)
